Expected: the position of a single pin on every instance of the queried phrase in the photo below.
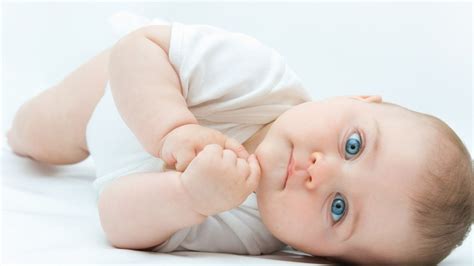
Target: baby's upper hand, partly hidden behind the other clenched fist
(181, 145)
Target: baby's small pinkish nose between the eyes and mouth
(319, 170)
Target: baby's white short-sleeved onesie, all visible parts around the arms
(231, 83)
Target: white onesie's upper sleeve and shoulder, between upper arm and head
(223, 71)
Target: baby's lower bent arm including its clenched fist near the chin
(142, 210)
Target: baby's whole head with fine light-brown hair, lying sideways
(371, 182)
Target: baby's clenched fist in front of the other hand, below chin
(217, 180)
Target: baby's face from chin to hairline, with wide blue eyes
(354, 163)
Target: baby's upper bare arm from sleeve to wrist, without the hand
(145, 87)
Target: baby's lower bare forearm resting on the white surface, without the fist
(142, 210)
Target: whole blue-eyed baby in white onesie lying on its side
(206, 140)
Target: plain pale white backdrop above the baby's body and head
(414, 54)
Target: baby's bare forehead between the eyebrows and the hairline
(386, 226)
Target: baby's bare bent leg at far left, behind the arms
(51, 126)
